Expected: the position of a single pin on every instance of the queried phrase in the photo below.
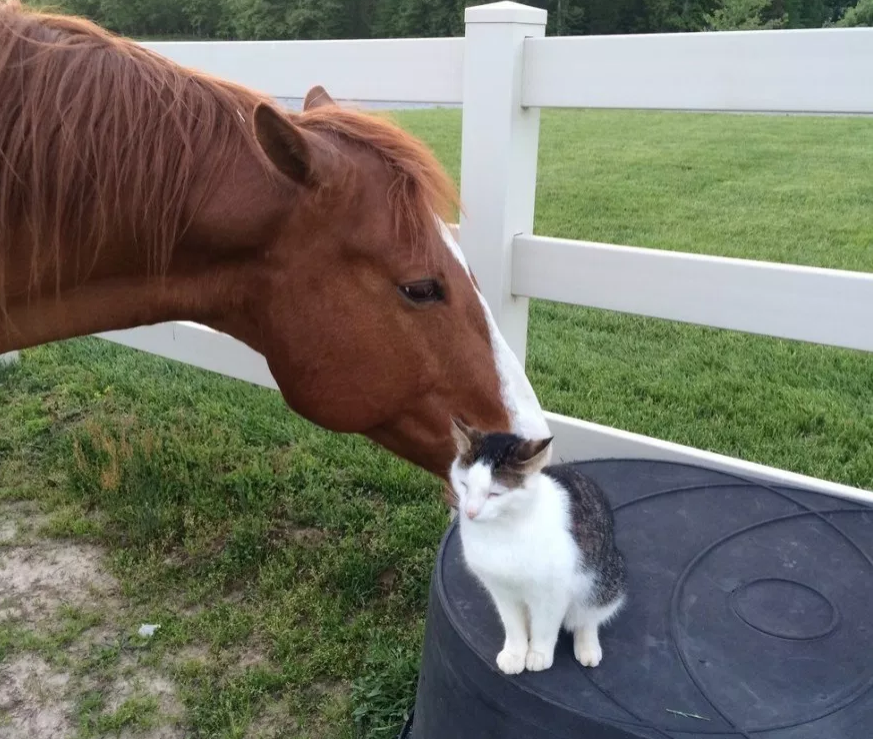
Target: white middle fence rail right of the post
(781, 300)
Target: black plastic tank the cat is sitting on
(750, 616)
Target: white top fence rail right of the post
(798, 71)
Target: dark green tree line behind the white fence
(337, 19)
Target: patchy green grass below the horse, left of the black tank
(287, 567)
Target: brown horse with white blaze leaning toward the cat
(134, 191)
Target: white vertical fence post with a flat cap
(498, 155)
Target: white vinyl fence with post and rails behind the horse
(502, 72)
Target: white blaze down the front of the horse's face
(528, 419)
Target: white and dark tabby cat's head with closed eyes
(491, 472)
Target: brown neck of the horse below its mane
(213, 272)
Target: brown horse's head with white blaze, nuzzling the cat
(370, 319)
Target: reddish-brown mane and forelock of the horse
(102, 140)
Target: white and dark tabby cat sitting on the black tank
(540, 539)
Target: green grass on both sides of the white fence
(289, 567)
